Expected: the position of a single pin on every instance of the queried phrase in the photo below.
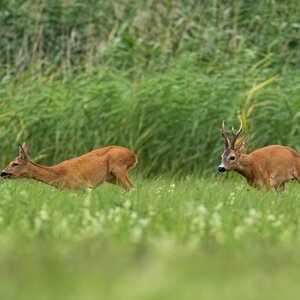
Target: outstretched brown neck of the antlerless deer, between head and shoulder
(47, 175)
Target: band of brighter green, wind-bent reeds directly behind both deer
(170, 119)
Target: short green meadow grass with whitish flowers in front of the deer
(212, 238)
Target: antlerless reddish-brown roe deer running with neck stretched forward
(109, 164)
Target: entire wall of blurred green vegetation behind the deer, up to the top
(155, 76)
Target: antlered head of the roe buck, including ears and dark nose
(232, 152)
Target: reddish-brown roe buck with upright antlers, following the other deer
(267, 167)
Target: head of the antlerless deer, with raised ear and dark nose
(17, 168)
